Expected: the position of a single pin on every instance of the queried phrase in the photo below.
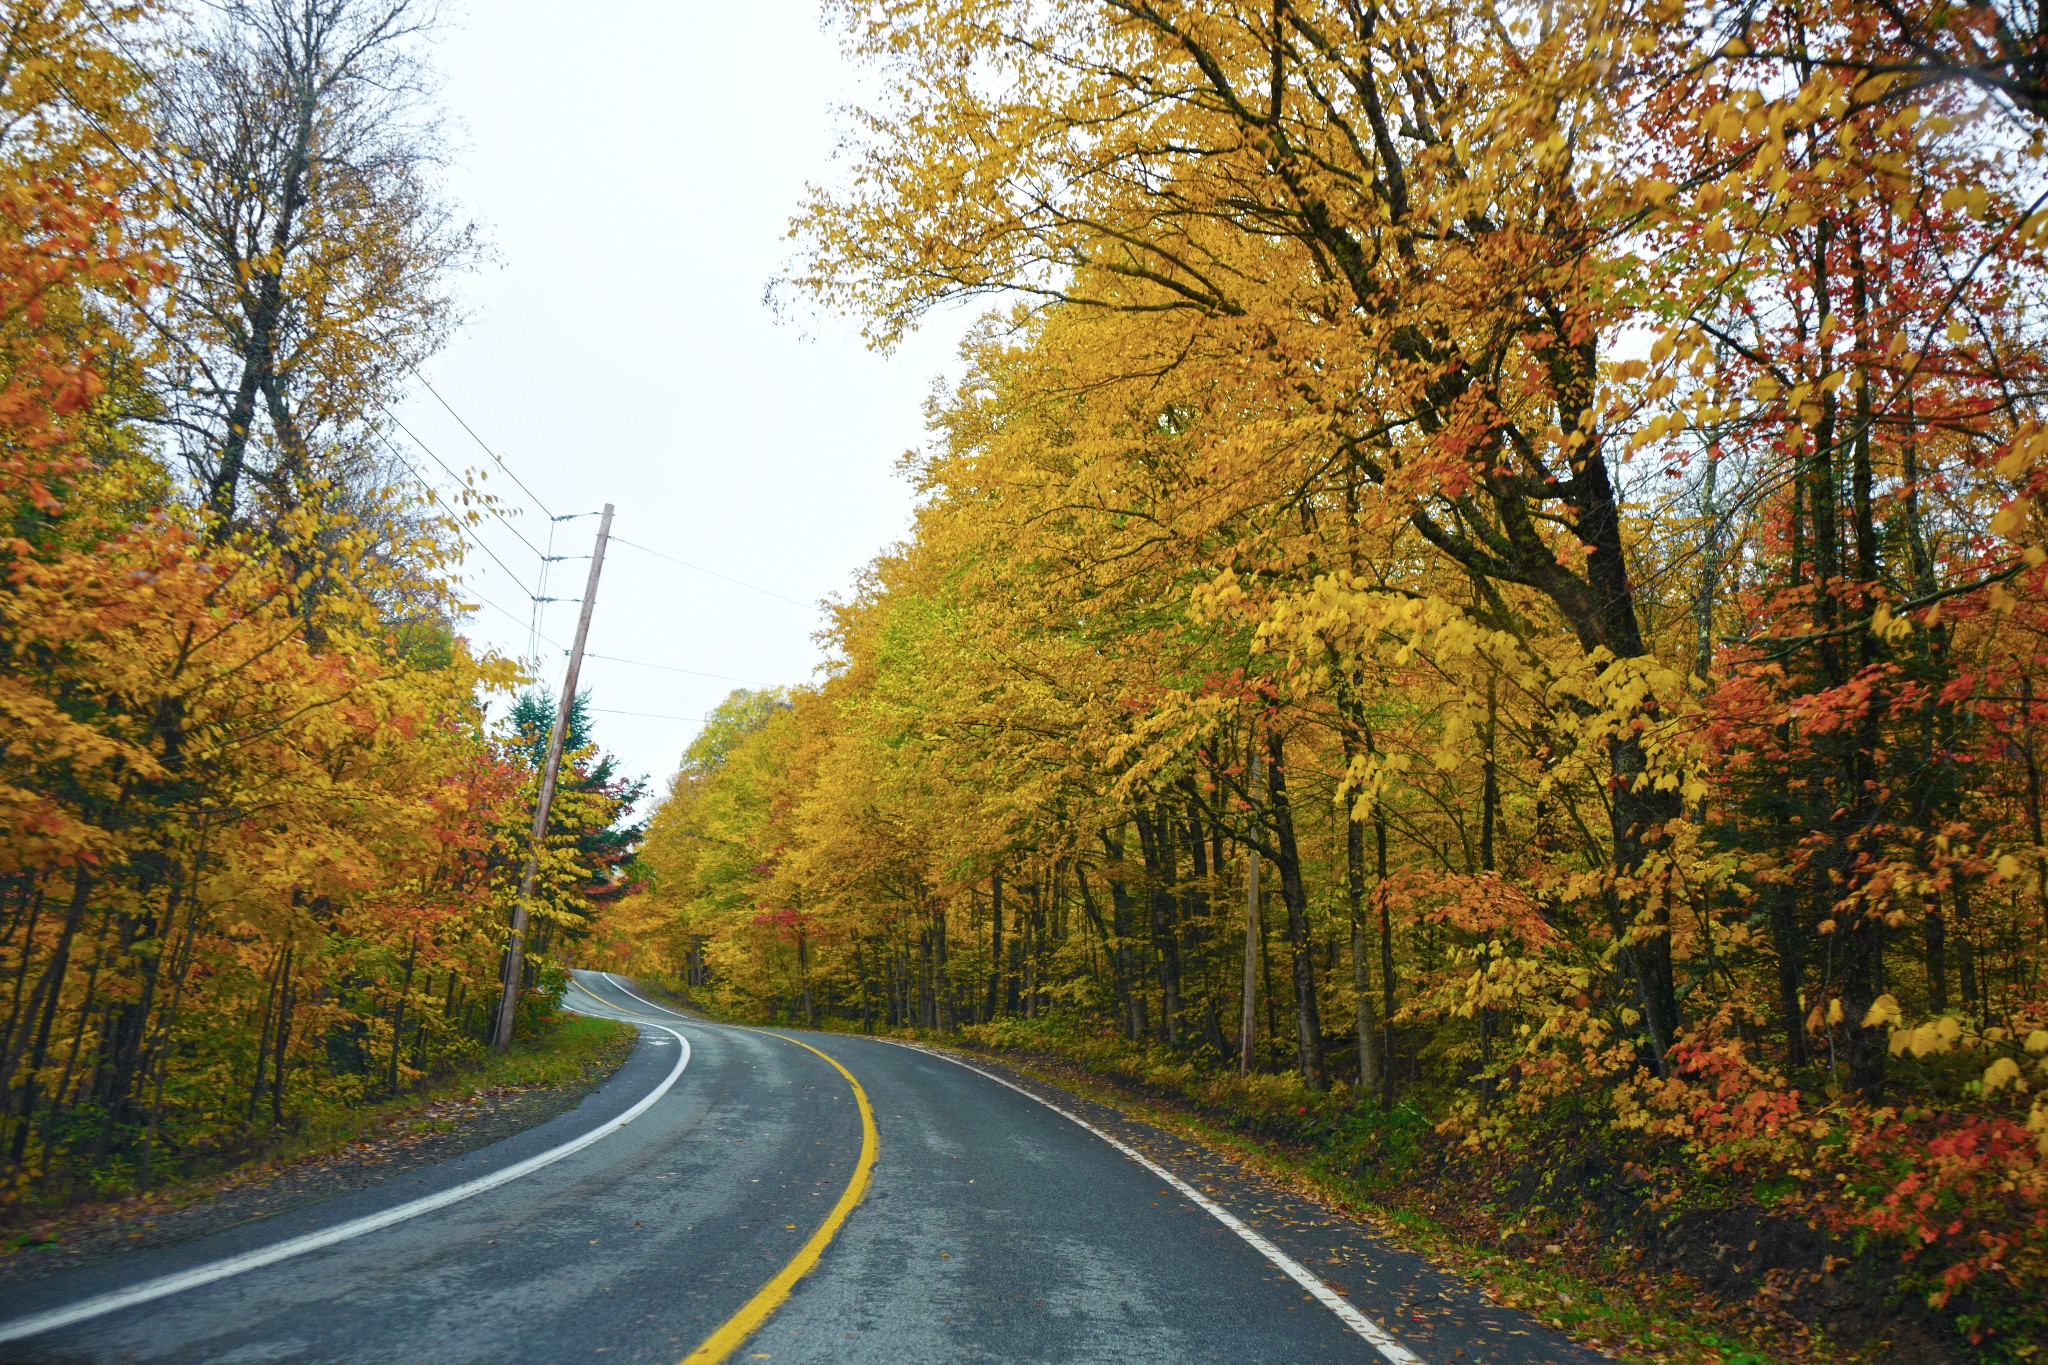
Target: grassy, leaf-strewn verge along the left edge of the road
(454, 1112)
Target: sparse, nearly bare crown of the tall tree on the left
(294, 167)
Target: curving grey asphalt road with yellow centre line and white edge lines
(992, 1229)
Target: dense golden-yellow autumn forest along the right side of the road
(1486, 564)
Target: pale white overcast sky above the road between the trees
(636, 167)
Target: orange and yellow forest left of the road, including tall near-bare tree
(259, 834)
